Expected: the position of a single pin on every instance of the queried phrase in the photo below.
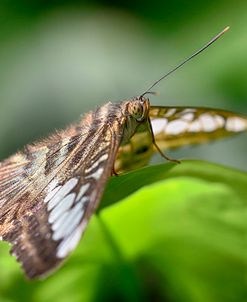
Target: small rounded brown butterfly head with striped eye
(138, 108)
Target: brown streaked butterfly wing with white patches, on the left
(49, 193)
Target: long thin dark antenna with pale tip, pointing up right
(188, 59)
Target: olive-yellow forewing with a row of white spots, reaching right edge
(175, 127)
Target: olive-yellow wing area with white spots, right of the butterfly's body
(175, 127)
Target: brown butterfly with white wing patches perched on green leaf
(50, 190)
